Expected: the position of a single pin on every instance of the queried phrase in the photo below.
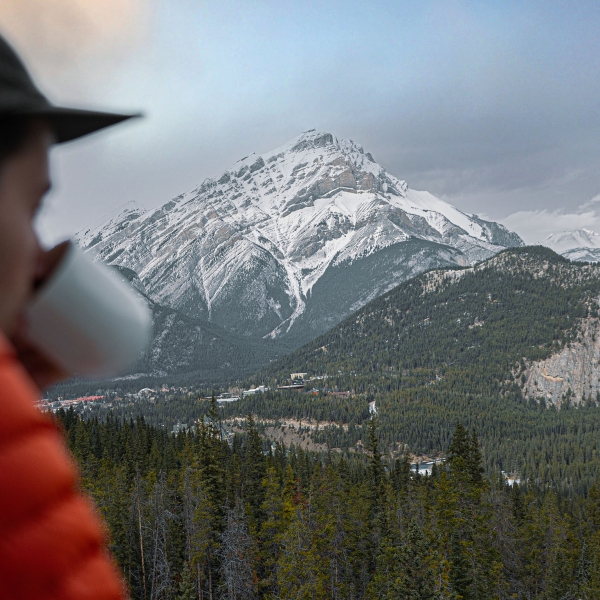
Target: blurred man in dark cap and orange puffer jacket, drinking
(51, 543)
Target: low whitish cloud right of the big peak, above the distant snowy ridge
(535, 225)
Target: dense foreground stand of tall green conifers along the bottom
(191, 516)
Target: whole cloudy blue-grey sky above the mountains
(491, 106)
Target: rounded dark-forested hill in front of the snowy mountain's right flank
(523, 303)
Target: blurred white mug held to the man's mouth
(87, 319)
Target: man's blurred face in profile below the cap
(24, 179)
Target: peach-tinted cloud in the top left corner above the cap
(67, 42)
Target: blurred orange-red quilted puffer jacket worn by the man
(51, 543)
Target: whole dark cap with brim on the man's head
(20, 97)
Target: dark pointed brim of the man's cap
(72, 123)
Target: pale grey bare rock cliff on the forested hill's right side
(573, 372)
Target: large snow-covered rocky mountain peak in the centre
(287, 243)
